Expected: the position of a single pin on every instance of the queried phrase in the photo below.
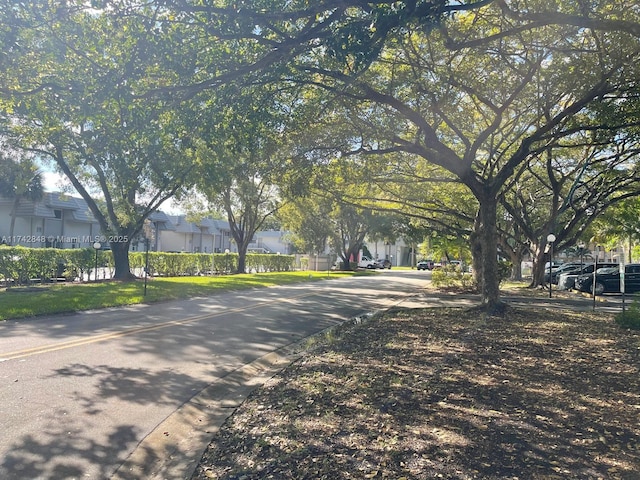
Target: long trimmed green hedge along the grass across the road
(22, 265)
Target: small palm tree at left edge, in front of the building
(19, 180)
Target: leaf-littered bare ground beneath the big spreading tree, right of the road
(446, 393)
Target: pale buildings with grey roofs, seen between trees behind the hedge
(64, 221)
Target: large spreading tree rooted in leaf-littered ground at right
(479, 110)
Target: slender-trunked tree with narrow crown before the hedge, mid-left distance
(240, 162)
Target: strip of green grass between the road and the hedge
(43, 300)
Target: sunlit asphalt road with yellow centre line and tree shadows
(79, 393)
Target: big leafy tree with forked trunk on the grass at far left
(70, 94)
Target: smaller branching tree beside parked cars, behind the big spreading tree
(565, 191)
